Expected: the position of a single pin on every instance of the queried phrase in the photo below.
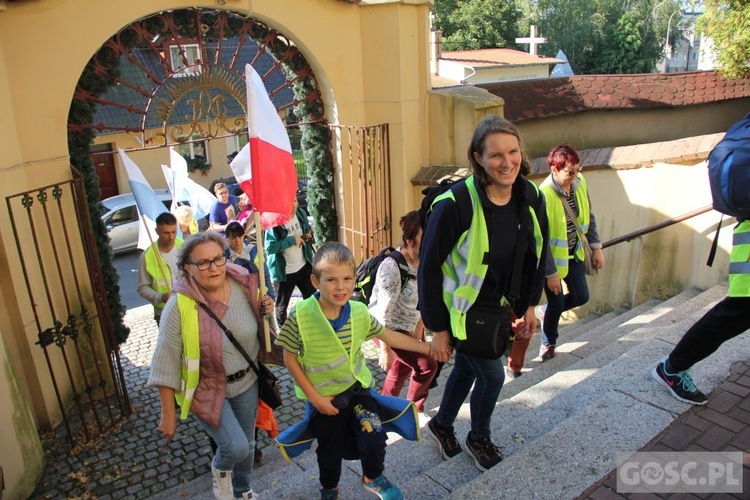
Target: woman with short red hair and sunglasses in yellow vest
(565, 261)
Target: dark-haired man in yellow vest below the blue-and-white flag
(157, 270)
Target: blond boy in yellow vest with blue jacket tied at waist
(322, 340)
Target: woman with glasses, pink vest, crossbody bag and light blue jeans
(196, 364)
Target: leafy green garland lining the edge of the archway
(103, 70)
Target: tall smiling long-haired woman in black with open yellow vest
(466, 271)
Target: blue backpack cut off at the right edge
(729, 171)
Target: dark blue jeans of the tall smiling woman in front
(487, 376)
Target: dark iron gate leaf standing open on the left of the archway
(64, 285)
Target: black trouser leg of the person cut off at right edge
(724, 321)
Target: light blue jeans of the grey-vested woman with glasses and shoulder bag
(235, 438)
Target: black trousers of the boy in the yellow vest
(355, 433)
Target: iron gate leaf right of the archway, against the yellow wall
(365, 185)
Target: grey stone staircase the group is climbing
(560, 425)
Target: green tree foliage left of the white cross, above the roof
(477, 24)
